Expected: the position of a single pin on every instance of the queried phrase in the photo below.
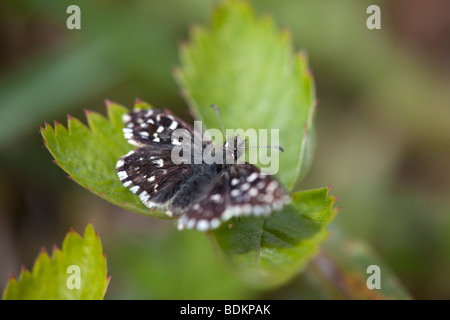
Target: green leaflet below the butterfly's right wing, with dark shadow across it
(269, 251)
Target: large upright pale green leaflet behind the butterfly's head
(245, 66)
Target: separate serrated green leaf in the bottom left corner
(53, 279)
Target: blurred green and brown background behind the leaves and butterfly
(382, 123)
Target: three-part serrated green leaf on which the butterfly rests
(248, 68)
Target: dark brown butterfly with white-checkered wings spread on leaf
(201, 195)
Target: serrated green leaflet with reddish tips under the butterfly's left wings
(89, 155)
